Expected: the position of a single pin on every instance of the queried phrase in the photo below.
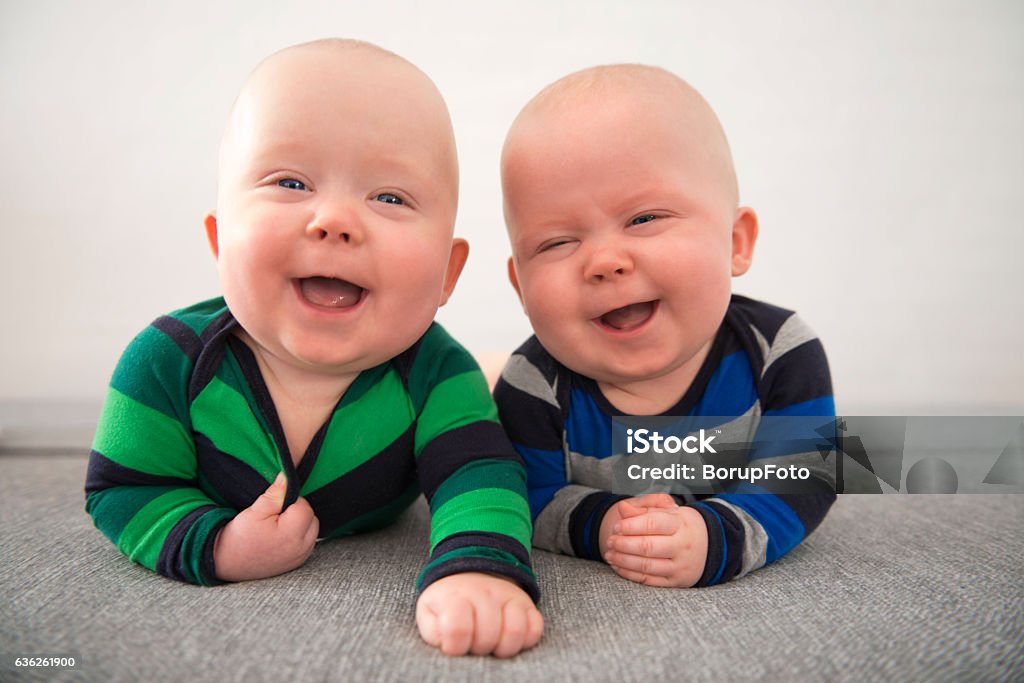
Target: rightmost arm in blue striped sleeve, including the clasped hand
(753, 526)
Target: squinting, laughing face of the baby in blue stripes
(622, 230)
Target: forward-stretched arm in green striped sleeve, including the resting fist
(479, 588)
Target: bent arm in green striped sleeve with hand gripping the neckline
(142, 488)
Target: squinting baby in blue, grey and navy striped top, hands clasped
(622, 209)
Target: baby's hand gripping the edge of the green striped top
(263, 541)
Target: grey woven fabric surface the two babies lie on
(889, 588)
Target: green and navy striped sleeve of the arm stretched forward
(473, 480)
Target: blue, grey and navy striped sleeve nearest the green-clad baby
(567, 517)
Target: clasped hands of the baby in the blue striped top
(656, 542)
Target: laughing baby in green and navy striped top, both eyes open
(321, 371)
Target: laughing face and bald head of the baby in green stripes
(337, 199)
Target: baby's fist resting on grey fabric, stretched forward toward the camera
(480, 614)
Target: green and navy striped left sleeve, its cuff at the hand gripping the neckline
(142, 487)
